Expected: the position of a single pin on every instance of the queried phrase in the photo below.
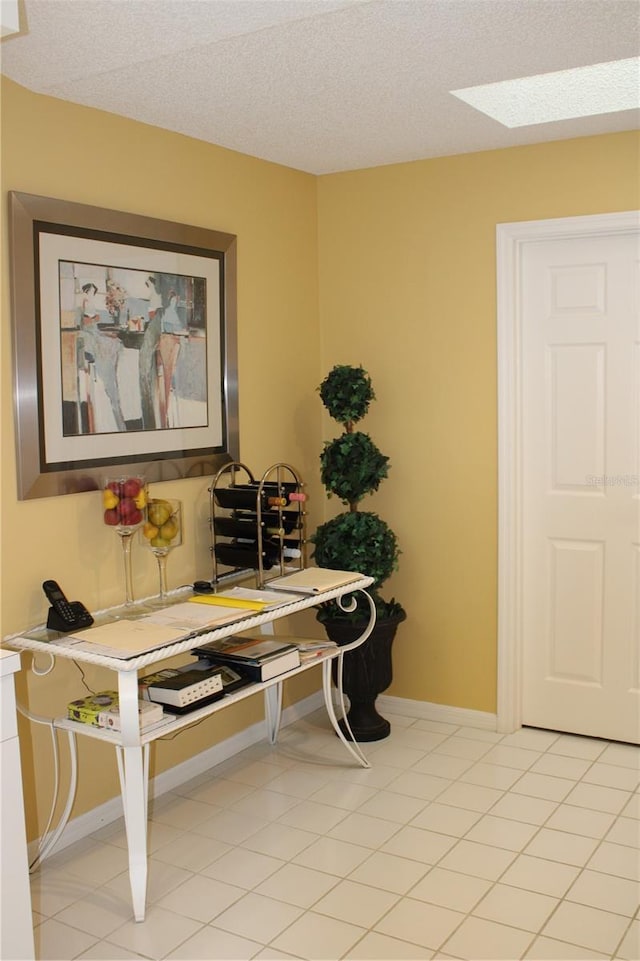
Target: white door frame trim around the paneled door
(511, 244)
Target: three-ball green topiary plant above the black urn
(351, 466)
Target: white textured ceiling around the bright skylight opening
(319, 85)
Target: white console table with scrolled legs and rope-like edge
(132, 744)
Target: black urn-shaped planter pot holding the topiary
(367, 672)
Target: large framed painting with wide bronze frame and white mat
(125, 346)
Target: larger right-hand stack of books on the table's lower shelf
(259, 659)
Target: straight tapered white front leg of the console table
(133, 767)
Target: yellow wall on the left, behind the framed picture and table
(60, 150)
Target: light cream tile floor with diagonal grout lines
(457, 843)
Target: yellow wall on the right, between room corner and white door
(407, 289)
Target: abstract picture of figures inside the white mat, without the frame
(133, 349)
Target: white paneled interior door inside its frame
(580, 485)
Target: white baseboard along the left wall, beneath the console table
(85, 824)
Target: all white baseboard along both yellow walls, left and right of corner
(85, 824)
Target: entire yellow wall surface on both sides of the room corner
(391, 267)
